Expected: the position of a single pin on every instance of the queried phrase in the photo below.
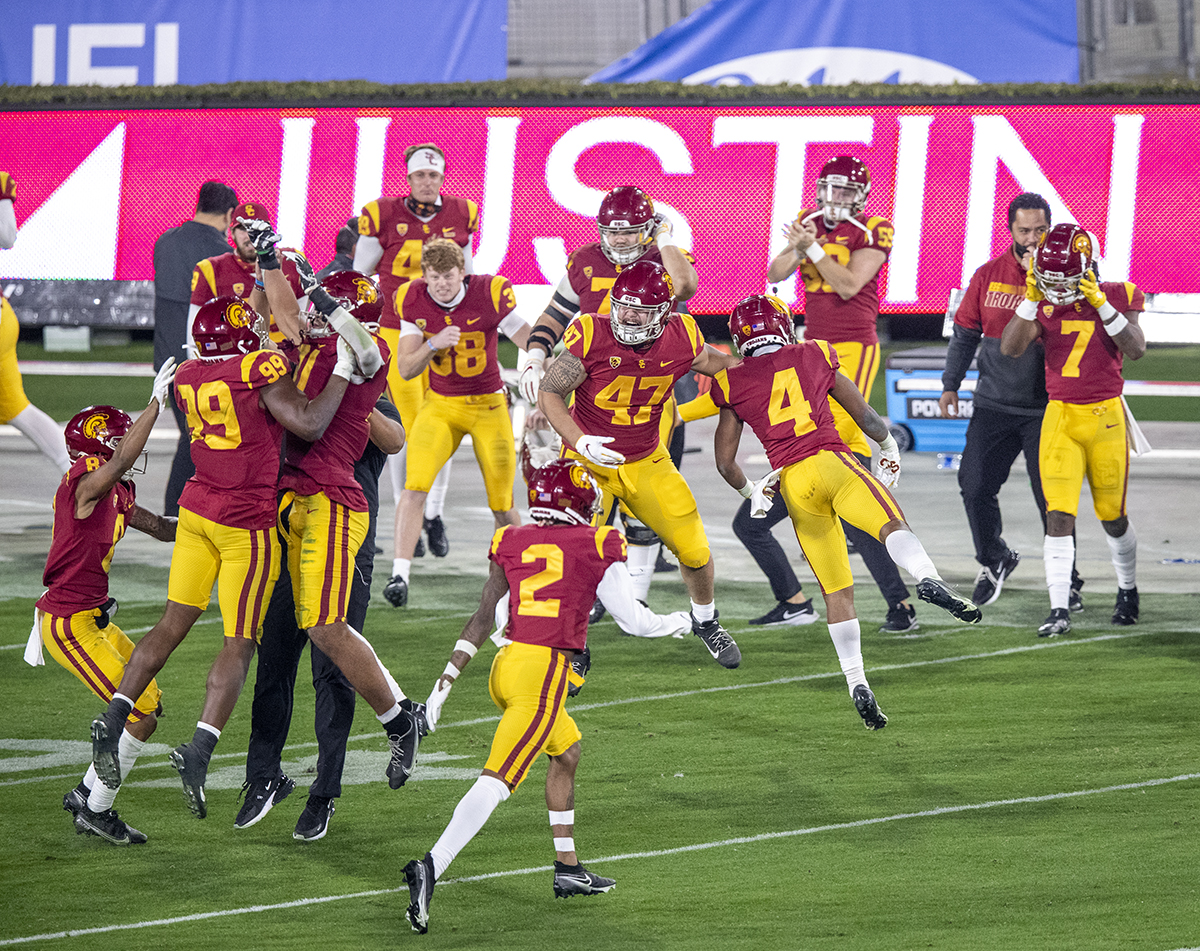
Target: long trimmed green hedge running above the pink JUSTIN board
(527, 93)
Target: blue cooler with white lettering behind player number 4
(914, 386)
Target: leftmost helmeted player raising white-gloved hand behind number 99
(93, 507)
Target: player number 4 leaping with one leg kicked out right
(782, 391)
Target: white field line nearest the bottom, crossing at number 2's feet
(657, 854)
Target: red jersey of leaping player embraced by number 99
(328, 465)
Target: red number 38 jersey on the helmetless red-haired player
(471, 367)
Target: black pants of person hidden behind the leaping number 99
(279, 659)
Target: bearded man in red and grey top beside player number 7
(1010, 398)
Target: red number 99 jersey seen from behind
(236, 442)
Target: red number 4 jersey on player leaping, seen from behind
(784, 397)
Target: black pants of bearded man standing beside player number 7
(994, 441)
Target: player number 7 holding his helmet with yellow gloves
(1087, 328)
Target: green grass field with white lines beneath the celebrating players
(1025, 796)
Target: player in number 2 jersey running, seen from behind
(544, 577)
